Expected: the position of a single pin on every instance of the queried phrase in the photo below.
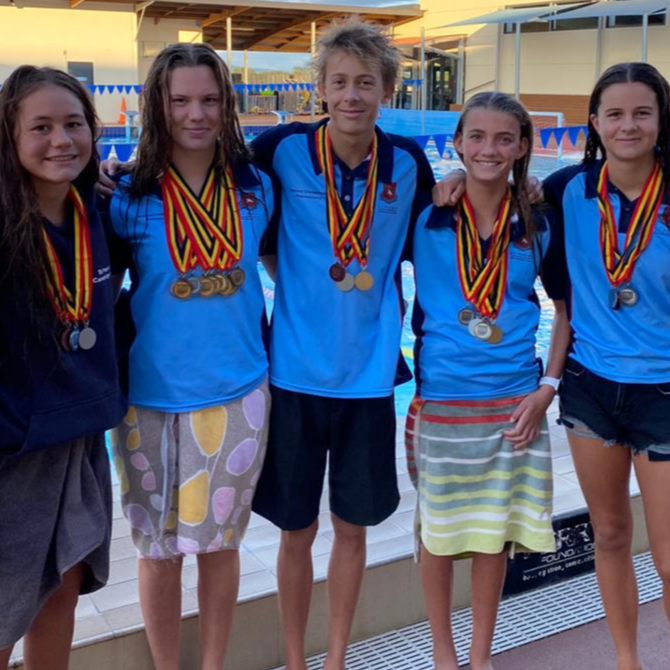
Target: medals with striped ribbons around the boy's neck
(349, 236)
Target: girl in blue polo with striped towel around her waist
(477, 439)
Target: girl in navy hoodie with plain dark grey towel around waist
(58, 378)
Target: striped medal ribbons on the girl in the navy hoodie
(72, 307)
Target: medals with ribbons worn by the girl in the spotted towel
(203, 231)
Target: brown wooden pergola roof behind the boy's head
(257, 25)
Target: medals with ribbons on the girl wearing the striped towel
(483, 278)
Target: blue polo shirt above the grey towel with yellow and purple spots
(201, 352)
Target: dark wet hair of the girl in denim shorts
(629, 73)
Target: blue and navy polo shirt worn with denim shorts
(631, 344)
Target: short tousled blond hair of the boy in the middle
(368, 42)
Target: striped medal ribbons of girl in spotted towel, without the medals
(205, 230)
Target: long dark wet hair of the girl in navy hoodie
(23, 255)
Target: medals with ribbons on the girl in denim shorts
(619, 266)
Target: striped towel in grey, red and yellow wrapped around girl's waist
(476, 493)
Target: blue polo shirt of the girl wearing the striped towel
(451, 364)
